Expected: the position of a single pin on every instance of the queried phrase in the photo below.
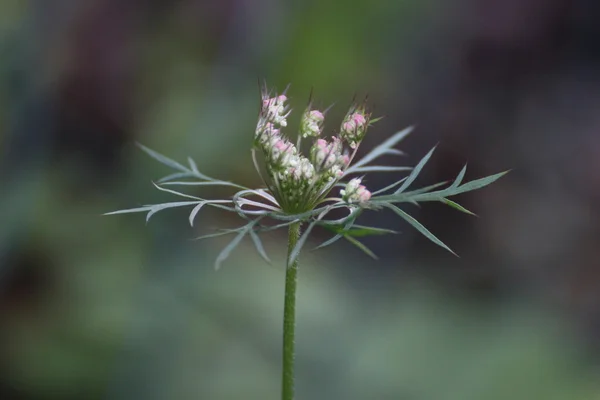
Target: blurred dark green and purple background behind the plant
(111, 308)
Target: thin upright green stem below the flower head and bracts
(289, 317)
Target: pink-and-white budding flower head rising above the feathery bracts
(297, 182)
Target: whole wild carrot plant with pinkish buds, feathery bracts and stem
(299, 191)
